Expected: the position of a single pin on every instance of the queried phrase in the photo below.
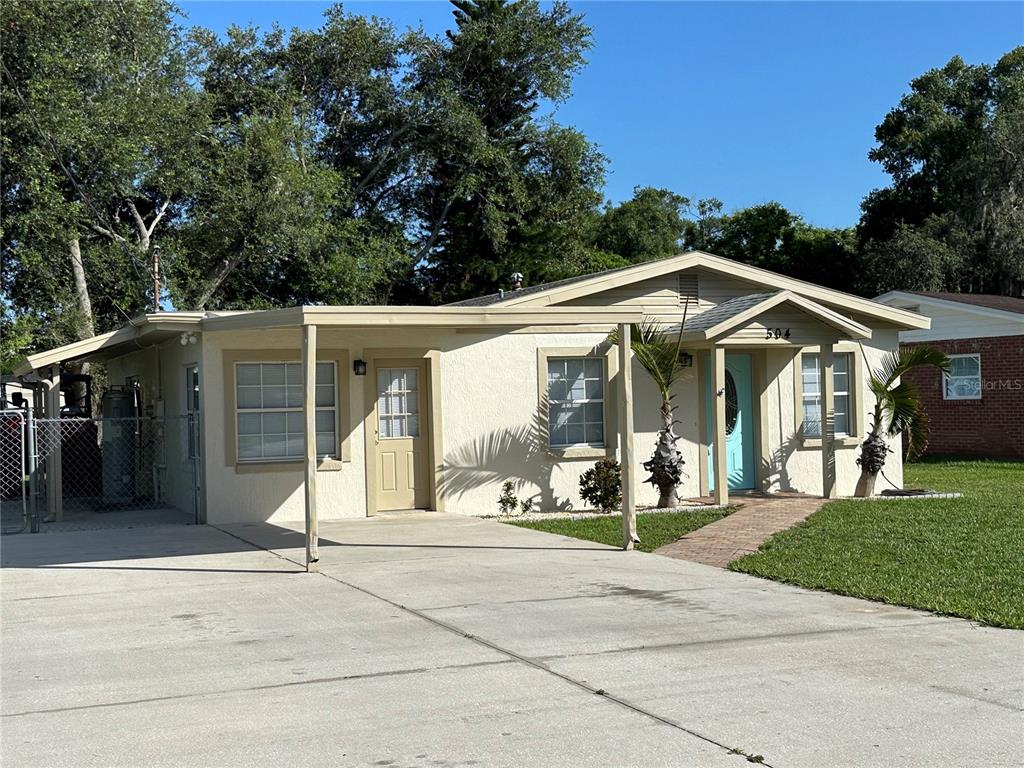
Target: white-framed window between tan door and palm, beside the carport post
(576, 402)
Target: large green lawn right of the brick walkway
(962, 558)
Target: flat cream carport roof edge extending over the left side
(156, 328)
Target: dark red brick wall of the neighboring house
(993, 426)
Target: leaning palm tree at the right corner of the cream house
(898, 410)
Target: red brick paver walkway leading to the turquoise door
(744, 531)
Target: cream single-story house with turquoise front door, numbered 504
(362, 410)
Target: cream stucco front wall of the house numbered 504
(491, 428)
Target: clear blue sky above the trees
(744, 102)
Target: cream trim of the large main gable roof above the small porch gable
(566, 290)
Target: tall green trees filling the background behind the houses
(358, 163)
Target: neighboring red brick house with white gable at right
(978, 408)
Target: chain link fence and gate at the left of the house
(100, 465)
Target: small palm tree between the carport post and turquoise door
(658, 352)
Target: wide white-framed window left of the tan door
(269, 411)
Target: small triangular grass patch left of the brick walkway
(655, 530)
